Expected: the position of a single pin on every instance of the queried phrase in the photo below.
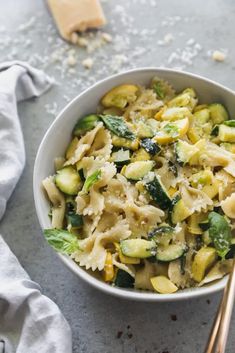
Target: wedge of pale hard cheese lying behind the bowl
(76, 16)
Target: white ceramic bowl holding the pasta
(59, 134)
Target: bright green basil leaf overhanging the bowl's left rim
(61, 240)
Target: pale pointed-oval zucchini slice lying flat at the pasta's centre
(137, 170)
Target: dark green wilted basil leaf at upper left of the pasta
(118, 126)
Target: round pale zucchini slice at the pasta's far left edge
(68, 180)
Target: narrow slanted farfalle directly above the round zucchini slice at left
(83, 146)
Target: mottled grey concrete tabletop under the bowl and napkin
(101, 323)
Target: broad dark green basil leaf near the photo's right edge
(220, 233)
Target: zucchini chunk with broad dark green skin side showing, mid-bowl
(157, 191)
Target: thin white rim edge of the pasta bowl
(75, 268)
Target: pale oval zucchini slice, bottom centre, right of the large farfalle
(139, 248)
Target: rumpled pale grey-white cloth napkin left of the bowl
(29, 321)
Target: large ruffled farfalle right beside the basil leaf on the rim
(93, 252)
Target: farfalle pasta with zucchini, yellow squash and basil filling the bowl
(145, 194)
